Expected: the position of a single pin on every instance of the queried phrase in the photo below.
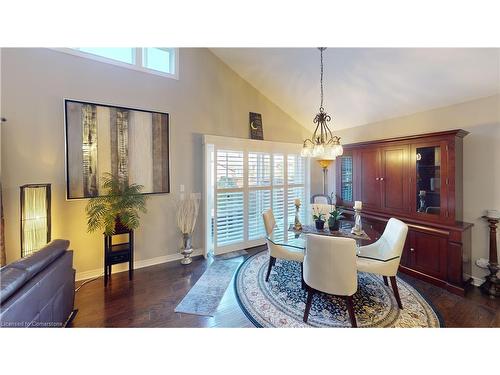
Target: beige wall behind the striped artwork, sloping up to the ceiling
(209, 98)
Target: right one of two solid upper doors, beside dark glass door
(394, 178)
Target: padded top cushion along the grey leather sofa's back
(42, 258)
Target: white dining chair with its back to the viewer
(330, 267)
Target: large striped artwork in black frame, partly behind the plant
(129, 143)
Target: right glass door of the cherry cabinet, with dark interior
(428, 180)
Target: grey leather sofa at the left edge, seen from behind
(38, 291)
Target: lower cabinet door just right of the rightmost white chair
(428, 253)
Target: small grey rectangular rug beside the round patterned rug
(204, 297)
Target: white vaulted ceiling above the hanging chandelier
(364, 85)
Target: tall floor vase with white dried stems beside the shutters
(187, 213)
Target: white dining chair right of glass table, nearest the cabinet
(389, 246)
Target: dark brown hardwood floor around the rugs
(150, 299)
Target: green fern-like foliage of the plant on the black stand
(118, 208)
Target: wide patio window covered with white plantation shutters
(245, 178)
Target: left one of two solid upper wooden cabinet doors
(369, 177)
